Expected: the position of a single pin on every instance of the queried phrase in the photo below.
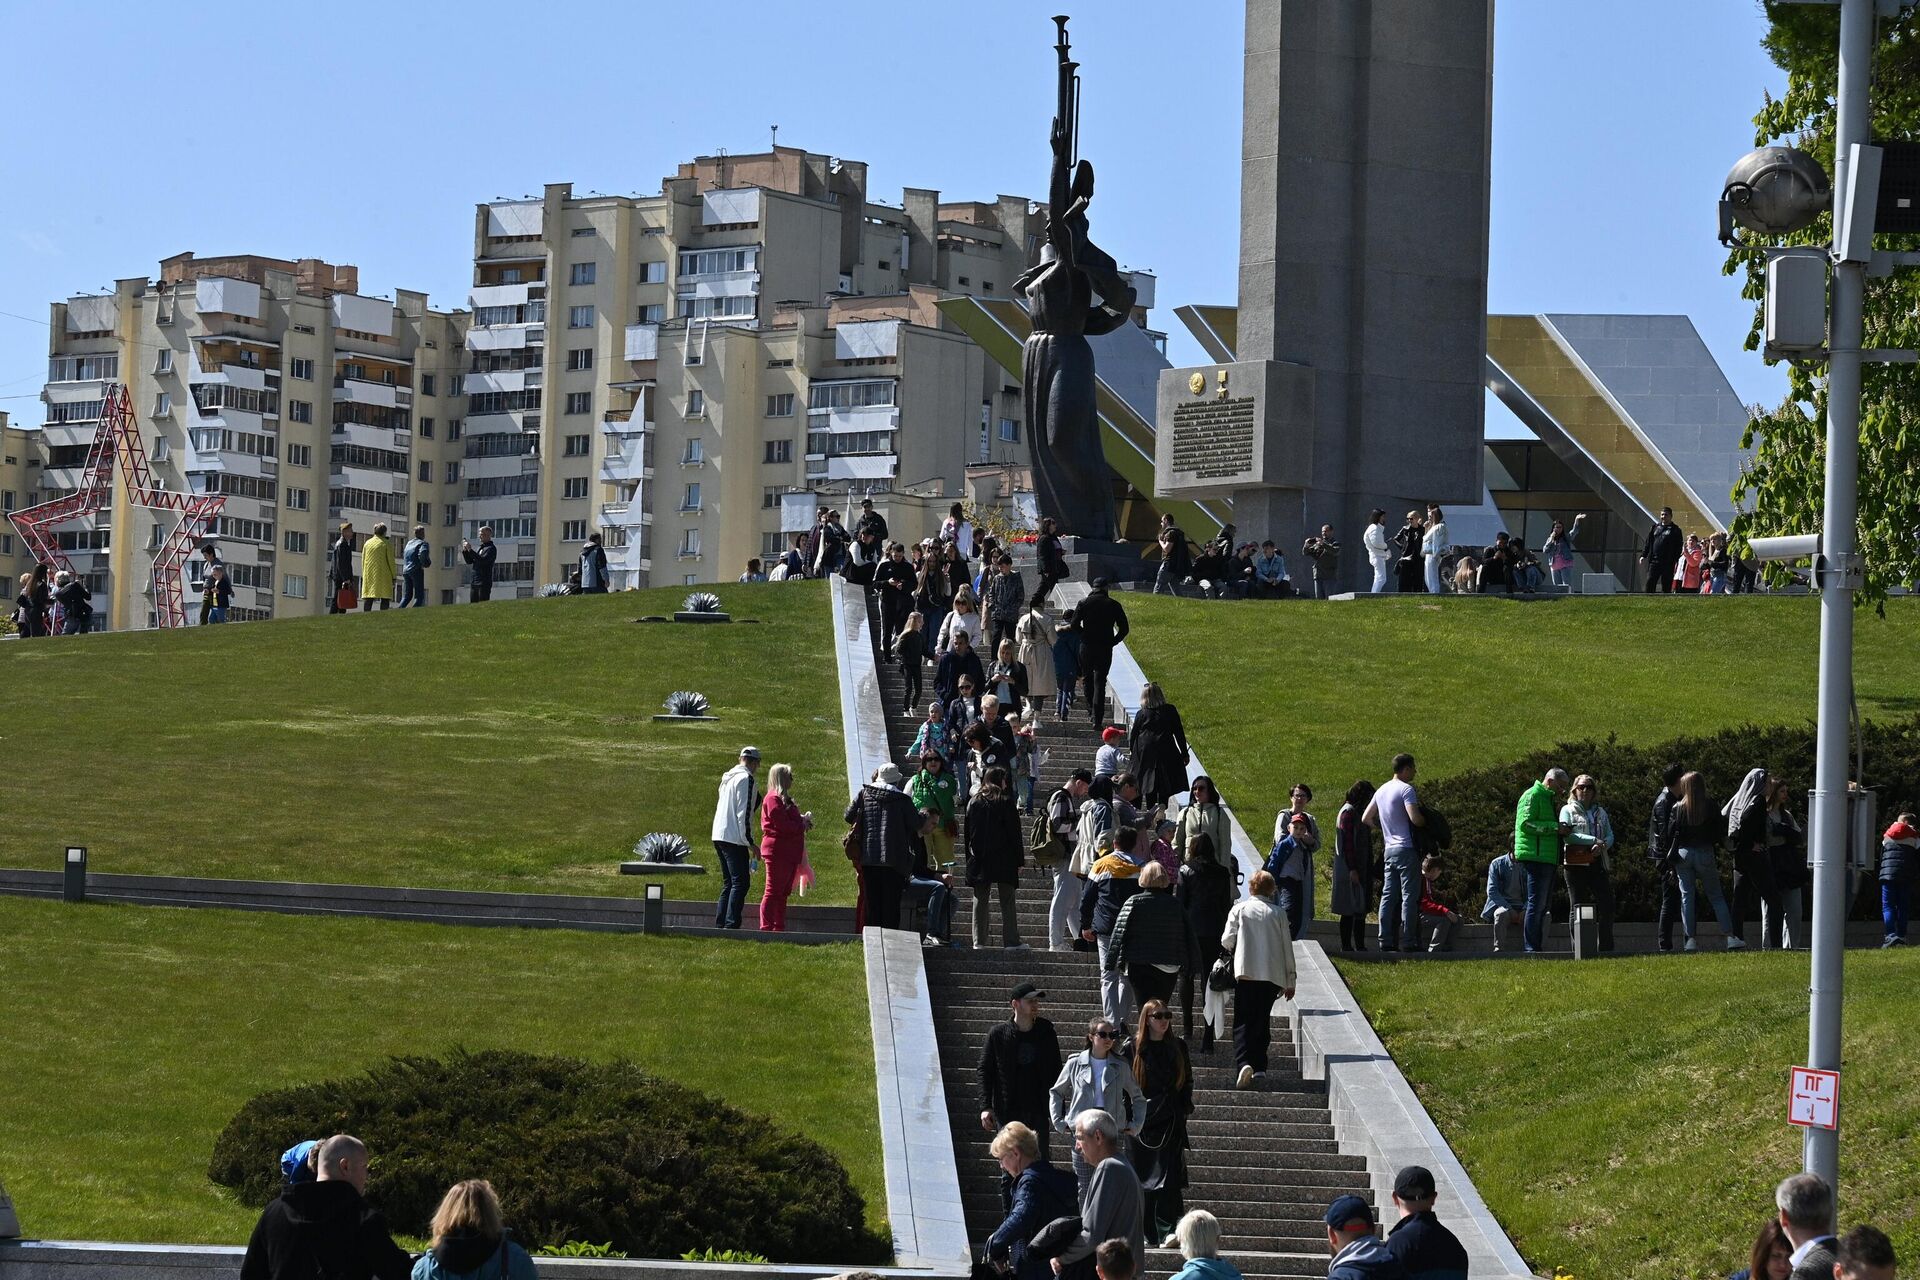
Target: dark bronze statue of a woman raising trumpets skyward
(1070, 471)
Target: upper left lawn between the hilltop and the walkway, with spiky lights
(508, 747)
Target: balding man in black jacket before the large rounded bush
(325, 1229)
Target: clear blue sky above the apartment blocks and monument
(364, 133)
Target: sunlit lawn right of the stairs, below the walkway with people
(1627, 1120)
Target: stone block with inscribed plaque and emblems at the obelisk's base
(1234, 427)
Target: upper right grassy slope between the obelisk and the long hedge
(1276, 692)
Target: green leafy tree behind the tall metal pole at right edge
(1783, 490)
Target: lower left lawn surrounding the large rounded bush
(132, 1037)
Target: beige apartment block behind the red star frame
(277, 385)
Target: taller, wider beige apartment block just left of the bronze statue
(686, 373)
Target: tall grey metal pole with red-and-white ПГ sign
(1838, 575)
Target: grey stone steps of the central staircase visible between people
(1262, 1160)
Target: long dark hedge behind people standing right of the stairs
(1479, 805)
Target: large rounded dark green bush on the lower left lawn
(577, 1150)
